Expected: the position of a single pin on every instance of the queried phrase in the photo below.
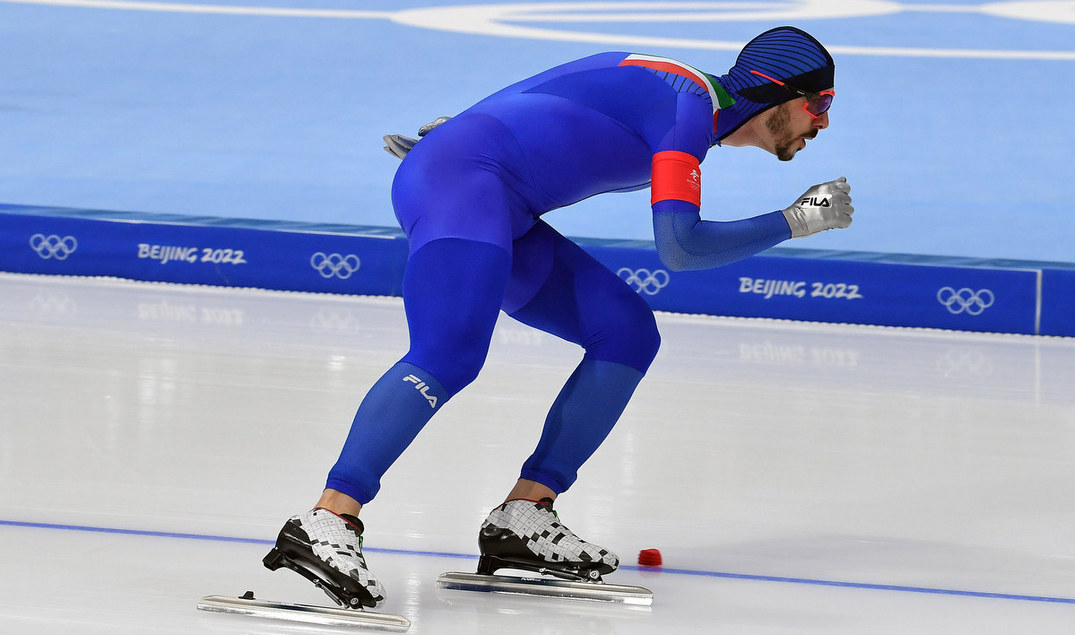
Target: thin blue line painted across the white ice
(681, 572)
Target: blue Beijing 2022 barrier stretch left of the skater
(268, 255)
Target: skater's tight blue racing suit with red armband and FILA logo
(470, 198)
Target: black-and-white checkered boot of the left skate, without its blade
(327, 550)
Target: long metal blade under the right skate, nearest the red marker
(548, 587)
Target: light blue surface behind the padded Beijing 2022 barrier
(281, 119)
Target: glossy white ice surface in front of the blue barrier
(797, 479)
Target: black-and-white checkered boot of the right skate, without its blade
(532, 531)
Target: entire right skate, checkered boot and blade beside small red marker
(528, 536)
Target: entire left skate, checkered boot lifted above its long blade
(327, 551)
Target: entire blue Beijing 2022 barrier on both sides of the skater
(840, 287)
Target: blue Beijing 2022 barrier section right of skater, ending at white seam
(840, 288)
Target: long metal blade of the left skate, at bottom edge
(309, 614)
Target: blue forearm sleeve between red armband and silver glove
(685, 242)
